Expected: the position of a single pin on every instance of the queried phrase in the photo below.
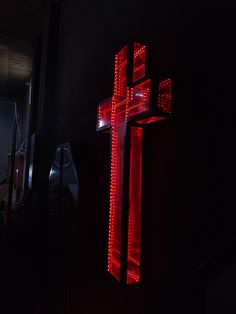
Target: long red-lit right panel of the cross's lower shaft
(135, 194)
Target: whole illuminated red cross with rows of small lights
(133, 104)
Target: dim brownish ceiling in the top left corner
(21, 21)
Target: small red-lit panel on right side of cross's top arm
(139, 61)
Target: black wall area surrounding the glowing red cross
(189, 161)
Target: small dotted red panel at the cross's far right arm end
(165, 95)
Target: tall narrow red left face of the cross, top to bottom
(118, 123)
